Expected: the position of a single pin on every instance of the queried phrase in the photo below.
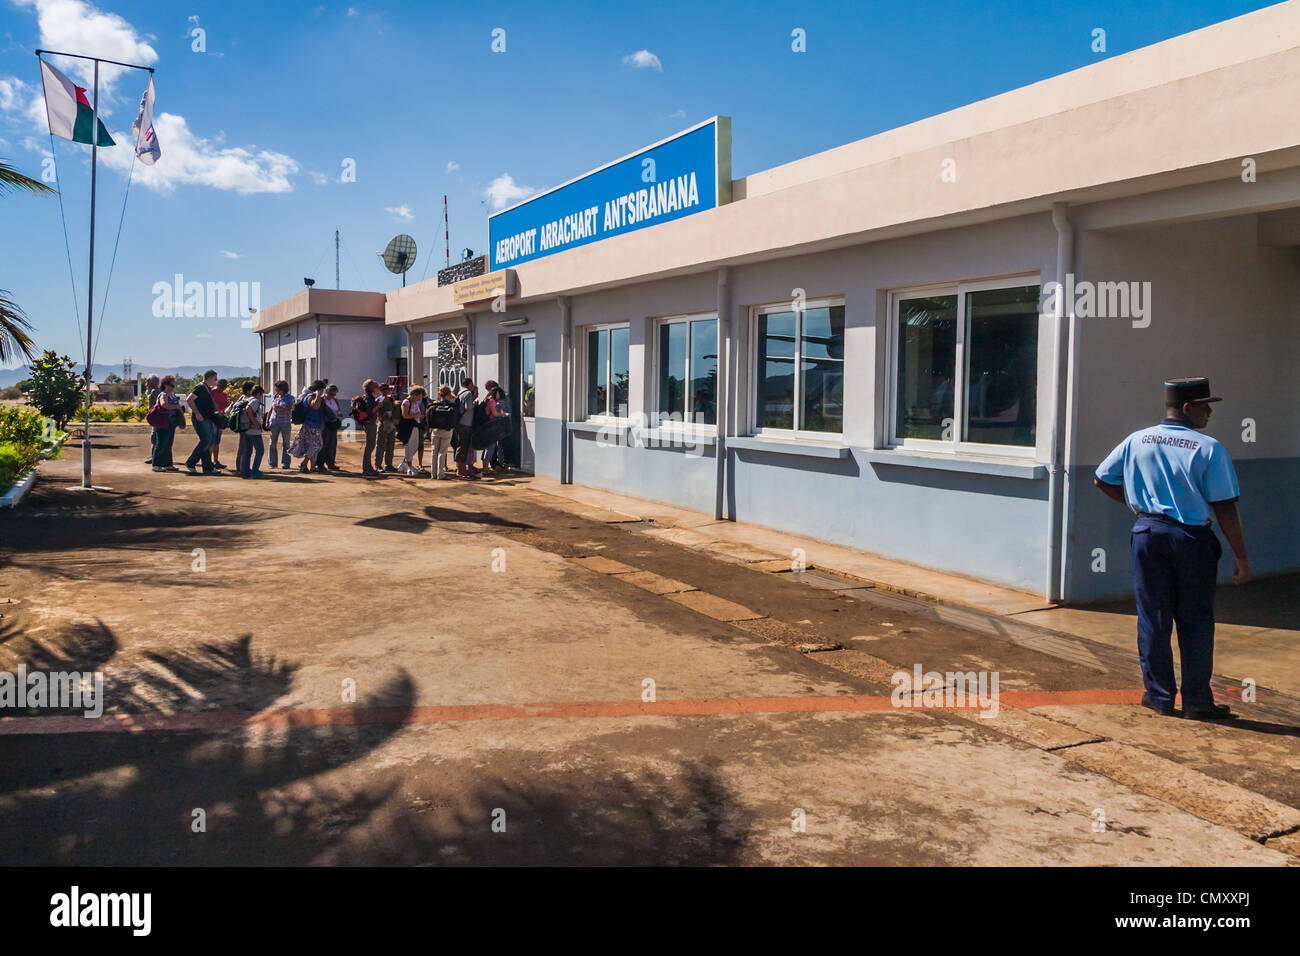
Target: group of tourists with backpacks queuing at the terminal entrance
(307, 427)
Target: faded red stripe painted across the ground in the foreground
(337, 717)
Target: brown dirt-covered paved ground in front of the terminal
(327, 669)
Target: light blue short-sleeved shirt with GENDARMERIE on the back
(1172, 470)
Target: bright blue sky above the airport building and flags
(255, 131)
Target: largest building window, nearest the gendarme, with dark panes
(967, 367)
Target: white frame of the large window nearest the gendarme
(956, 447)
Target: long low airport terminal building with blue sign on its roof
(920, 344)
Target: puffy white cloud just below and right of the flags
(189, 159)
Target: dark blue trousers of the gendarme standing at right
(1175, 572)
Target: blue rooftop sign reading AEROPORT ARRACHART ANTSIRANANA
(677, 178)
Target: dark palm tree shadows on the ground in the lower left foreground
(298, 795)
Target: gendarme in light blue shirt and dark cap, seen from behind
(1175, 479)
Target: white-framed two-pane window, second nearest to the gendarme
(800, 369)
